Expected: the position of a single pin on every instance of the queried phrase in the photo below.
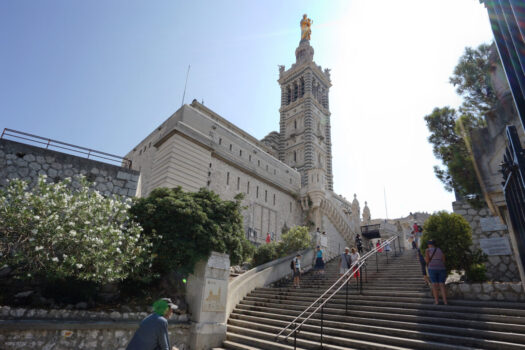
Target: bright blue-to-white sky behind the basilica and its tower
(103, 74)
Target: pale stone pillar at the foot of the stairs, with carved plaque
(206, 294)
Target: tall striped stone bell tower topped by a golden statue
(305, 141)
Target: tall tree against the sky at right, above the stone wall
(450, 129)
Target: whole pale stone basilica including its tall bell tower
(286, 177)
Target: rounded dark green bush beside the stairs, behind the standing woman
(453, 235)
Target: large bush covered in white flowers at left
(56, 231)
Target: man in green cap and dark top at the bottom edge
(153, 330)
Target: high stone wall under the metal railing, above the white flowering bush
(21, 161)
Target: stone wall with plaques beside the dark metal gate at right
(501, 268)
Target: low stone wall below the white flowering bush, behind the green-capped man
(69, 329)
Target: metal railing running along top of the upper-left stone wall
(66, 146)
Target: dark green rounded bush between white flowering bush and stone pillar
(186, 226)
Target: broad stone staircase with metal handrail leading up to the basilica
(395, 311)
